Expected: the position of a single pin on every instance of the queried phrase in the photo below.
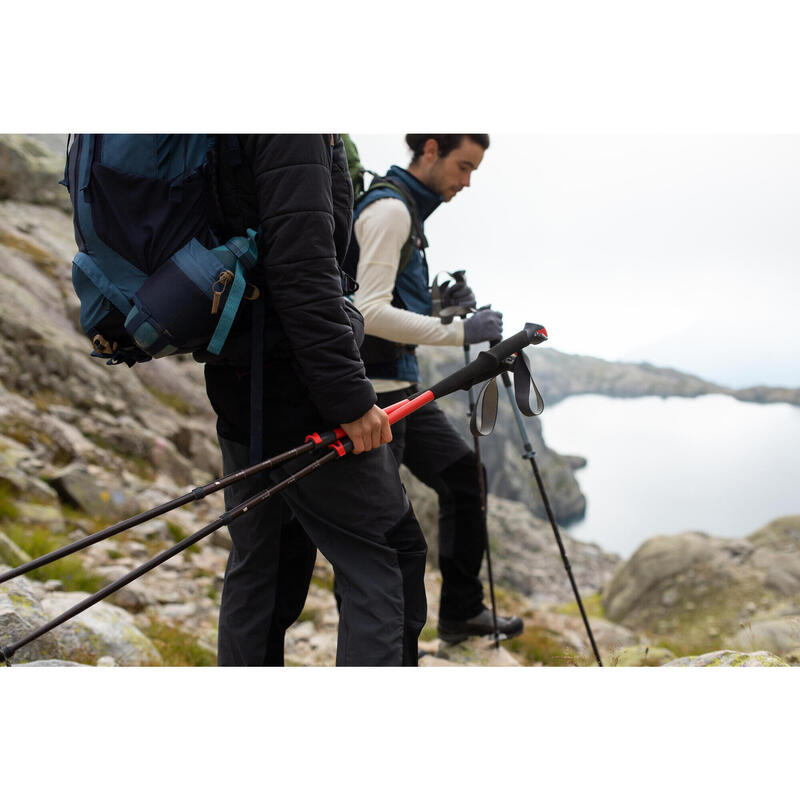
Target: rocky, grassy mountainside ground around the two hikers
(83, 445)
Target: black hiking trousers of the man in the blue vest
(432, 449)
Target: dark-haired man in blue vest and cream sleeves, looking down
(387, 257)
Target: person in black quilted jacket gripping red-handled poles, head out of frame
(296, 191)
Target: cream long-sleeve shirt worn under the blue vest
(382, 229)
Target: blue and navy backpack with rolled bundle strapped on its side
(152, 277)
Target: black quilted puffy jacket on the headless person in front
(301, 197)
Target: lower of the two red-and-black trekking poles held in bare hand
(488, 364)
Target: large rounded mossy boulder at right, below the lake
(708, 592)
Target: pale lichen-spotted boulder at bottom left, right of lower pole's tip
(101, 630)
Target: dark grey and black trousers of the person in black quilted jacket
(356, 512)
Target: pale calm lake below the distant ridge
(658, 465)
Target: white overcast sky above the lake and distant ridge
(682, 250)
